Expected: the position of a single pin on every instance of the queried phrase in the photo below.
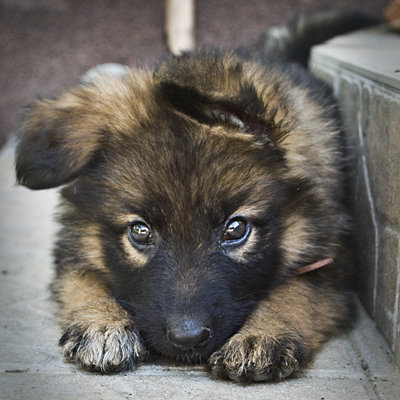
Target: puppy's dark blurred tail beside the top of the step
(293, 42)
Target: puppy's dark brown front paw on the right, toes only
(247, 358)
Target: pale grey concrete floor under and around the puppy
(355, 366)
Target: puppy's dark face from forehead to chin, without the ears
(195, 244)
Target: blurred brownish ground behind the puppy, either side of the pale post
(46, 45)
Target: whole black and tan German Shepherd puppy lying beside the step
(199, 201)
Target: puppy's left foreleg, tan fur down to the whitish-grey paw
(98, 333)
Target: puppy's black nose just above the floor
(188, 335)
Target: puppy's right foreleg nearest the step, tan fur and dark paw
(283, 333)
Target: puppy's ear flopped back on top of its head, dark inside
(215, 89)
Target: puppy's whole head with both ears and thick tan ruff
(197, 187)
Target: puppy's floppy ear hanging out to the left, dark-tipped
(58, 140)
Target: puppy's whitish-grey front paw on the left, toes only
(103, 349)
